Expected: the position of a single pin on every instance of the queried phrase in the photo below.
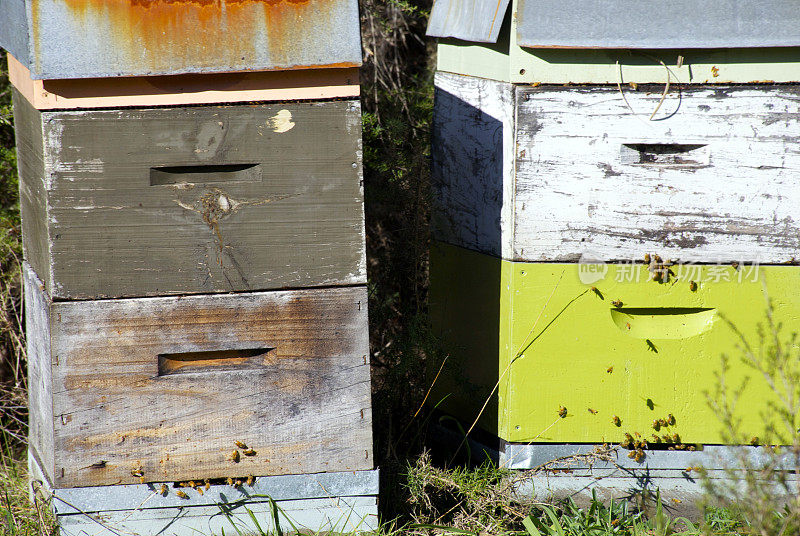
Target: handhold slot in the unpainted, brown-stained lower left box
(215, 360)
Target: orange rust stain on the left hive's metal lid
(178, 32)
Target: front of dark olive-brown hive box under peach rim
(114, 233)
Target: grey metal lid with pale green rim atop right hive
(592, 42)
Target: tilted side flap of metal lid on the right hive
(470, 20)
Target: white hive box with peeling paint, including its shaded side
(711, 179)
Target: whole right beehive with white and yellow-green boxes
(549, 196)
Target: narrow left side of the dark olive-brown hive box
(32, 185)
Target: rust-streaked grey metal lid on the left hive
(59, 39)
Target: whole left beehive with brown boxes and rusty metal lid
(194, 263)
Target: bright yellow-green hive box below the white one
(533, 338)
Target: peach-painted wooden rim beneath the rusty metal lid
(121, 92)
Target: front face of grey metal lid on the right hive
(658, 24)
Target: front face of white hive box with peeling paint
(589, 179)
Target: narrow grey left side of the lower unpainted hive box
(41, 436)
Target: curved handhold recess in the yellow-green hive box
(663, 322)
